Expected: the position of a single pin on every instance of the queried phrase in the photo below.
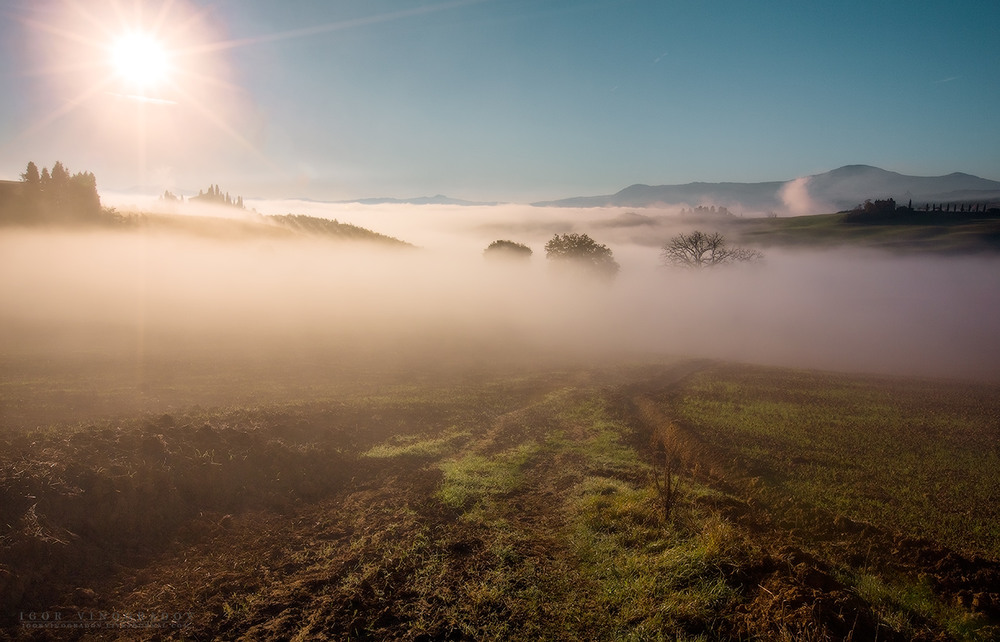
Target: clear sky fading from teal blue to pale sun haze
(514, 100)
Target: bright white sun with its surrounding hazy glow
(147, 79)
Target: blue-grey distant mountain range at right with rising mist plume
(837, 190)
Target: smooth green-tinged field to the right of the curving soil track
(909, 454)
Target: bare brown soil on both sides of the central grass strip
(268, 524)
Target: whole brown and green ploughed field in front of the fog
(668, 500)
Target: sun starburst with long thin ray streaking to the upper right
(158, 58)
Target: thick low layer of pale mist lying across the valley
(139, 298)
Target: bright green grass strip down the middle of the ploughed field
(615, 568)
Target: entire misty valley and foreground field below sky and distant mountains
(425, 421)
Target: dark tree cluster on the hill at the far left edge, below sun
(54, 196)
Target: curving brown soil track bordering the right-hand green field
(803, 542)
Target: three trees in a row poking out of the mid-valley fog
(581, 253)
